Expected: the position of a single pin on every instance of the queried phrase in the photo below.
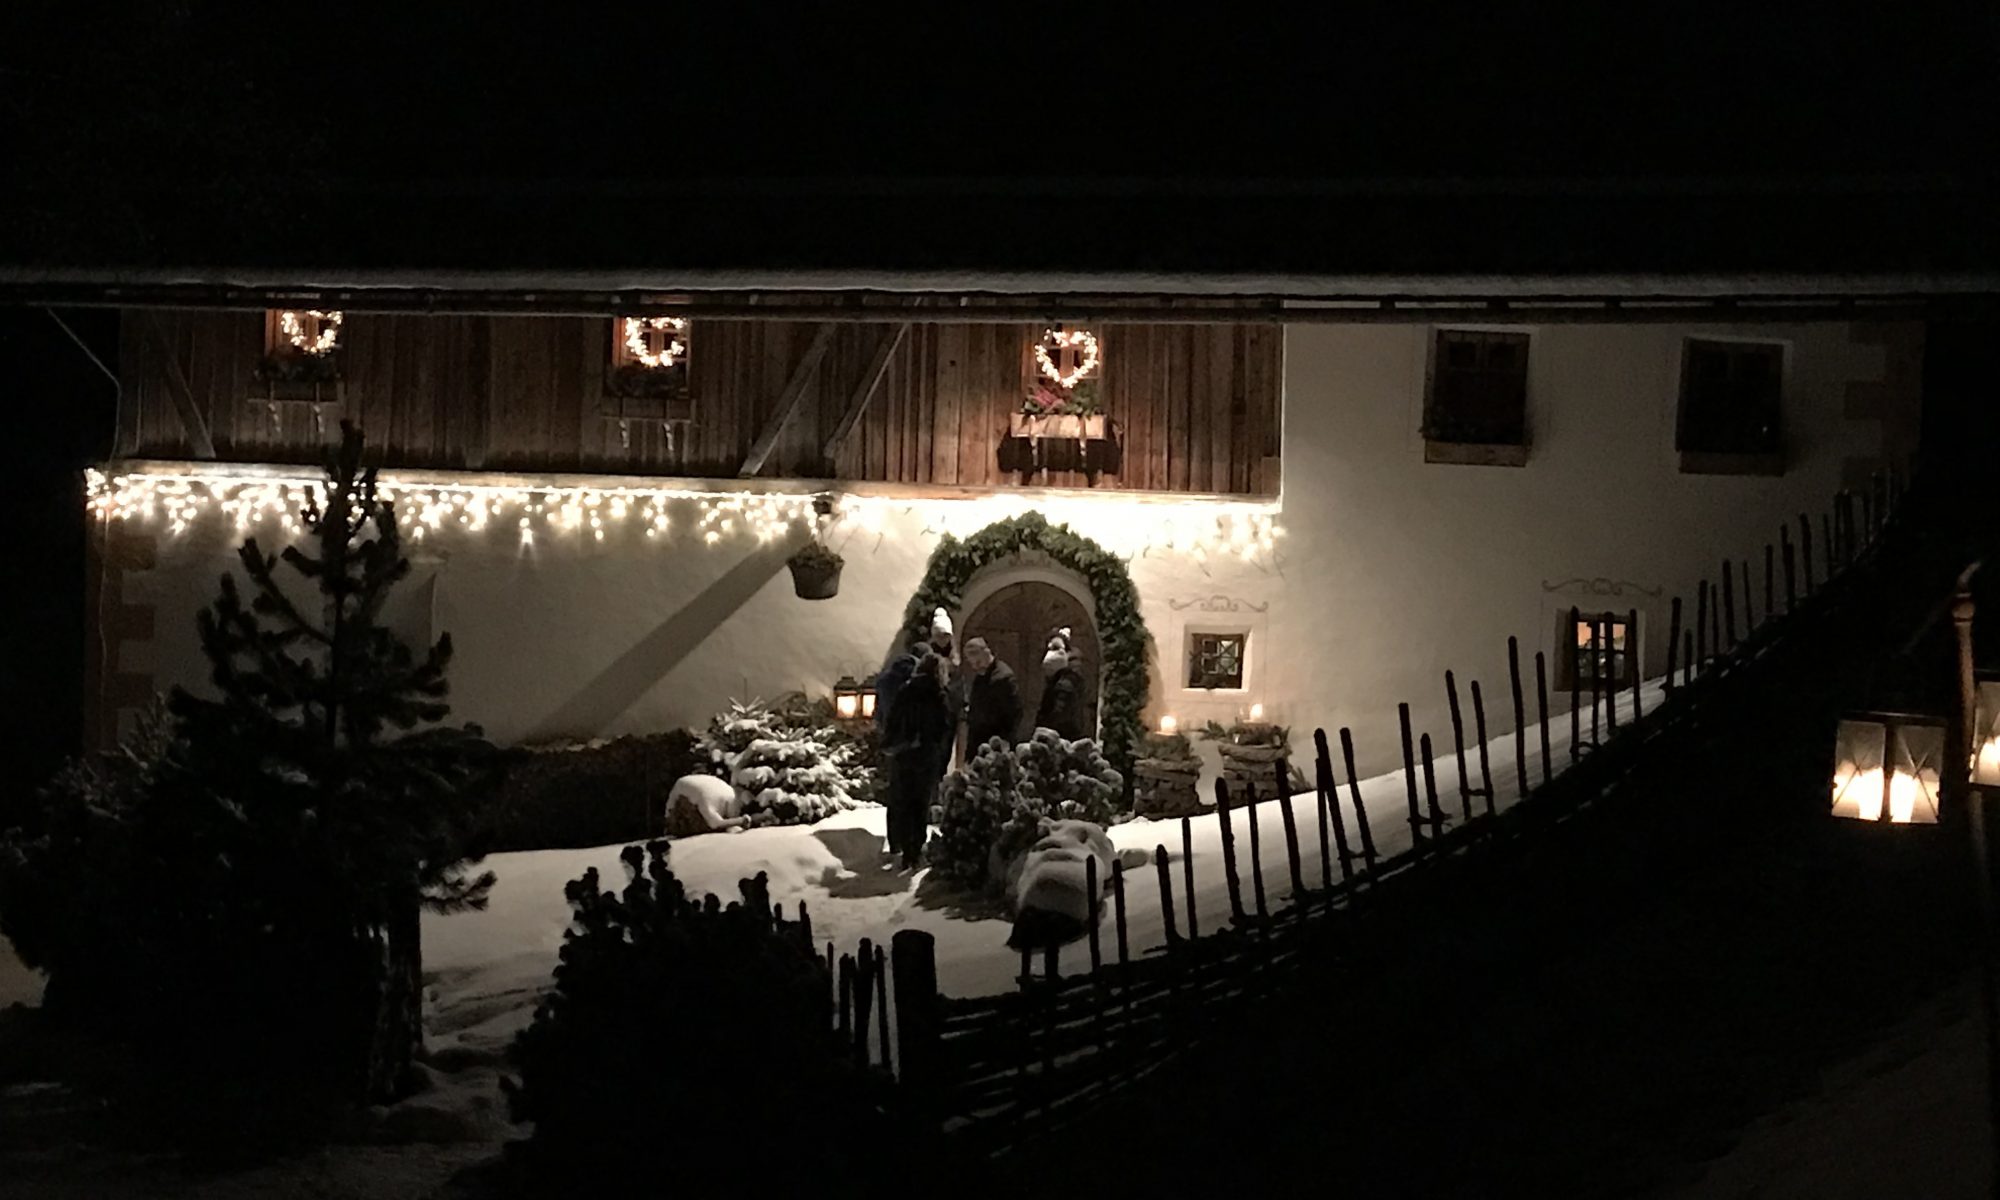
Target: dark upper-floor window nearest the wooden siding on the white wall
(1477, 407)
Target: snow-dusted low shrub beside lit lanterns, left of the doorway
(789, 765)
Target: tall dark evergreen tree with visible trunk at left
(327, 769)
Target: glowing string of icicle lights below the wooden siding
(535, 515)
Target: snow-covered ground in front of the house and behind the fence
(489, 967)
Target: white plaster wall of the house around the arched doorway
(1391, 571)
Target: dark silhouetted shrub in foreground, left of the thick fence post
(677, 1021)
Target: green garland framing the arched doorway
(1121, 627)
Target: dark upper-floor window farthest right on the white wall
(1731, 409)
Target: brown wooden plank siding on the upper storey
(1195, 409)
